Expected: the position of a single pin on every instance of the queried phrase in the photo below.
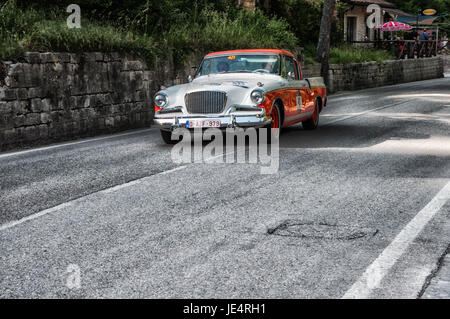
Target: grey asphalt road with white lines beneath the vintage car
(358, 208)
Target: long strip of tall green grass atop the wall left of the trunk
(37, 30)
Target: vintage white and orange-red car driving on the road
(242, 88)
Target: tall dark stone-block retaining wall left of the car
(58, 96)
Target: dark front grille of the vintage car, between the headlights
(205, 102)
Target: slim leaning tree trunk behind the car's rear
(323, 47)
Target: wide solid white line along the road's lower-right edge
(375, 273)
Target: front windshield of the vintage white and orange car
(240, 63)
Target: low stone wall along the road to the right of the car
(358, 76)
